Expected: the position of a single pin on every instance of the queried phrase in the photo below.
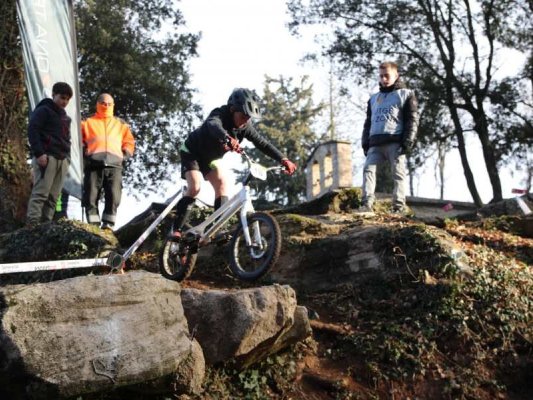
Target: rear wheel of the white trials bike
(177, 259)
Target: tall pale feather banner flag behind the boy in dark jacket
(48, 39)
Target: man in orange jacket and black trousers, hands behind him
(107, 143)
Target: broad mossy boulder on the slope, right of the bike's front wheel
(323, 262)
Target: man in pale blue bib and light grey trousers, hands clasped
(388, 134)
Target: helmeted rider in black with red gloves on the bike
(222, 131)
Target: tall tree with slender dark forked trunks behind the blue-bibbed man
(448, 50)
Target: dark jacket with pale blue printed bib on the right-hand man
(391, 116)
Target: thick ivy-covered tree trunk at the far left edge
(15, 180)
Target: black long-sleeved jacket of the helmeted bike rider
(206, 143)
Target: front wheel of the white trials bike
(251, 263)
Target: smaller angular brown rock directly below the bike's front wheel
(245, 324)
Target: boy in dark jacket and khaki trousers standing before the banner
(49, 137)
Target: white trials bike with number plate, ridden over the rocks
(254, 245)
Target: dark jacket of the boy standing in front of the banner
(49, 130)
